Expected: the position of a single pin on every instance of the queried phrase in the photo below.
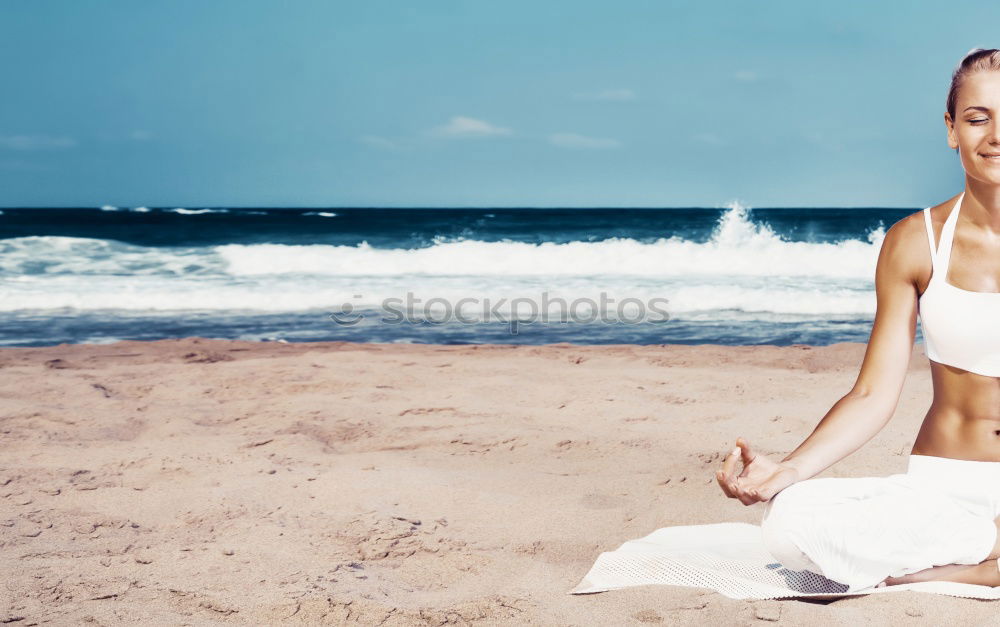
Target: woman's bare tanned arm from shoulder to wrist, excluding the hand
(866, 409)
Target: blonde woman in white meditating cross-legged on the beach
(939, 520)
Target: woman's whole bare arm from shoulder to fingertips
(860, 414)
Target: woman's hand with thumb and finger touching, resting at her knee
(761, 478)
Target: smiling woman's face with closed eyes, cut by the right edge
(975, 131)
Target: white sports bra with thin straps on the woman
(960, 328)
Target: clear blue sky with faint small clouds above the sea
(541, 103)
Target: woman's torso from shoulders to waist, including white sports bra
(963, 421)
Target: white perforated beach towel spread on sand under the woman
(730, 558)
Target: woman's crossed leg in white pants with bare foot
(843, 528)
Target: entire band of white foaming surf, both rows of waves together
(744, 270)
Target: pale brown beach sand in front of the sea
(198, 481)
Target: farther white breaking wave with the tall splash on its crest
(738, 248)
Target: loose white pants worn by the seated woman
(858, 531)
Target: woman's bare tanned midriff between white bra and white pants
(964, 419)
